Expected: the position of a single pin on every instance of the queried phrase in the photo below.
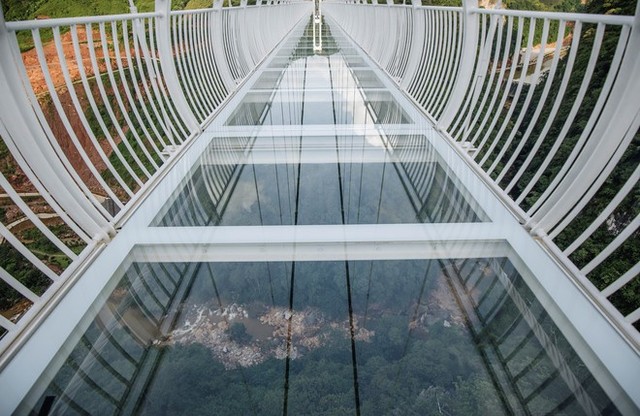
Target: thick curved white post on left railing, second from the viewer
(167, 63)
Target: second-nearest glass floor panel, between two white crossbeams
(414, 188)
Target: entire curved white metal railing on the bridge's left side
(90, 116)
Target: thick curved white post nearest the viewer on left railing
(28, 142)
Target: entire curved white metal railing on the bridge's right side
(546, 105)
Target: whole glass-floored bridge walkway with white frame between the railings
(320, 249)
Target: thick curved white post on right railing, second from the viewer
(465, 72)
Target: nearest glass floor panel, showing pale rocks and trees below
(371, 337)
